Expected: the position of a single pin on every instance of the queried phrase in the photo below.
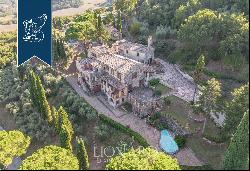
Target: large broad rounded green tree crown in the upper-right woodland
(224, 32)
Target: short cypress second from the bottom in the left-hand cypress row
(65, 138)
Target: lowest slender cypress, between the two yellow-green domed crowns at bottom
(82, 154)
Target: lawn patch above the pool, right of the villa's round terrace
(179, 110)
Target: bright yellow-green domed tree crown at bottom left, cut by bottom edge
(51, 158)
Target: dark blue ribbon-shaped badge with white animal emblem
(34, 30)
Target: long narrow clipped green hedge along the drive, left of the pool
(124, 129)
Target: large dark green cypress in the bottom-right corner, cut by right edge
(236, 157)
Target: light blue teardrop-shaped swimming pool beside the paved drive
(167, 143)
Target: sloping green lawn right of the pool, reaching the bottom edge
(210, 154)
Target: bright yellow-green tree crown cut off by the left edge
(12, 144)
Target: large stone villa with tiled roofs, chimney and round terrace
(121, 73)
